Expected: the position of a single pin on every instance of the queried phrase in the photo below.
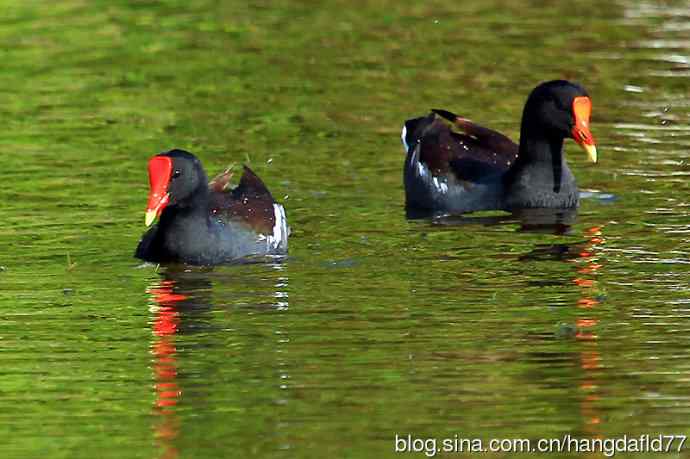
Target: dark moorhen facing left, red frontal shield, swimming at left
(203, 223)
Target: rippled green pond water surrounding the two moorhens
(375, 326)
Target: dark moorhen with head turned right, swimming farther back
(455, 166)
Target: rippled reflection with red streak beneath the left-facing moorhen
(180, 303)
